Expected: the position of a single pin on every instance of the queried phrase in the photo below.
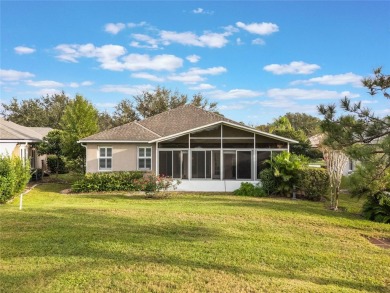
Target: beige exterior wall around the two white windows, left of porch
(124, 156)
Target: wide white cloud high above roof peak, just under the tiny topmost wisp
(208, 39)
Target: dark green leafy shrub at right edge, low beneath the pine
(377, 207)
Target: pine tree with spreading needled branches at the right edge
(364, 136)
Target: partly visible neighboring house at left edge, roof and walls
(20, 141)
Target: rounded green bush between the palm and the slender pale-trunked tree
(313, 183)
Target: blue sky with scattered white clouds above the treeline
(257, 59)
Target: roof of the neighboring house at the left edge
(14, 132)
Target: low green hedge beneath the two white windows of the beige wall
(108, 181)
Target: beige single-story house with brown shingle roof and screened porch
(206, 151)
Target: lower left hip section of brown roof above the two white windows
(128, 132)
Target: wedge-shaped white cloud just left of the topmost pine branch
(338, 79)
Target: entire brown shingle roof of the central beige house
(170, 123)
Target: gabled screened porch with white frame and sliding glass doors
(219, 152)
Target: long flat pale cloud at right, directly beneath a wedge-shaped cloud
(302, 94)
